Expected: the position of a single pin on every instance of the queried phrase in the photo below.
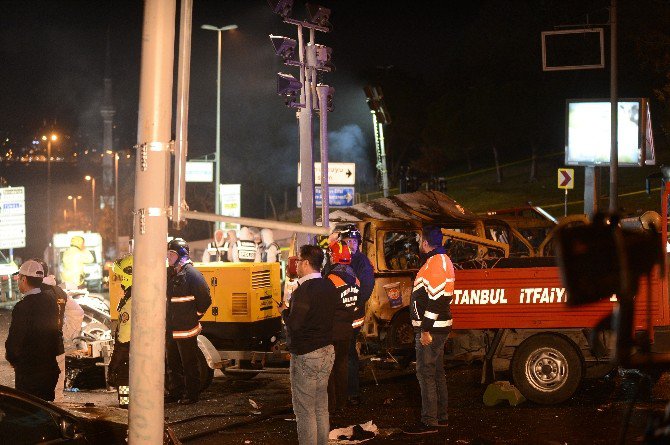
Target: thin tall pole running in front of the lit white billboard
(614, 103)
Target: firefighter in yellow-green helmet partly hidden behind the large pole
(119, 365)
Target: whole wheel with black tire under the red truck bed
(547, 369)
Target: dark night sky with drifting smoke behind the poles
(53, 57)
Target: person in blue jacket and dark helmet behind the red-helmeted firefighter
(362, 267)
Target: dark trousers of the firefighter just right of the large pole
(183, 374)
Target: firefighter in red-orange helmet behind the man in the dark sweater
(343, 277)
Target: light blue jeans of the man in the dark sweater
(309, 394)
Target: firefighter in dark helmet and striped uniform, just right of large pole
(188, 298)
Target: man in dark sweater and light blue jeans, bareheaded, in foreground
(309, 331)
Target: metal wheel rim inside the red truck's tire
(546, 369)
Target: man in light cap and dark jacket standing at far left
(34, 339)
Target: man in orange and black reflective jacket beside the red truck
(431, 319)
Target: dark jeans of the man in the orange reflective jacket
(433, 382)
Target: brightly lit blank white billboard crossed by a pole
(588, 136)
